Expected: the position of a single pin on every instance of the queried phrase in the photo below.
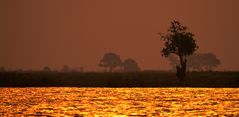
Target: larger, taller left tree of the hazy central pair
(110, 61)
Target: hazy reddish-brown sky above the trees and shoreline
(36, 33)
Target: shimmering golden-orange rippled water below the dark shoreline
(119, 102)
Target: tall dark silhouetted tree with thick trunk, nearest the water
(180, 42)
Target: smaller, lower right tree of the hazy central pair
(130, 65)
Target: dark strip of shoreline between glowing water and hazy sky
(154, 79)
